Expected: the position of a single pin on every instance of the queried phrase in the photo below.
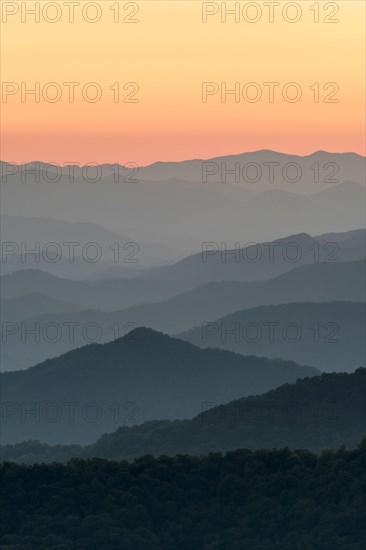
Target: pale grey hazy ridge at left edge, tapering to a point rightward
(75, 250)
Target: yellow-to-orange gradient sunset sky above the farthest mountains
(169, 53)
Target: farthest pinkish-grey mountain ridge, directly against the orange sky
(332, 167)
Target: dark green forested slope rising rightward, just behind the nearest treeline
(315, 413)
